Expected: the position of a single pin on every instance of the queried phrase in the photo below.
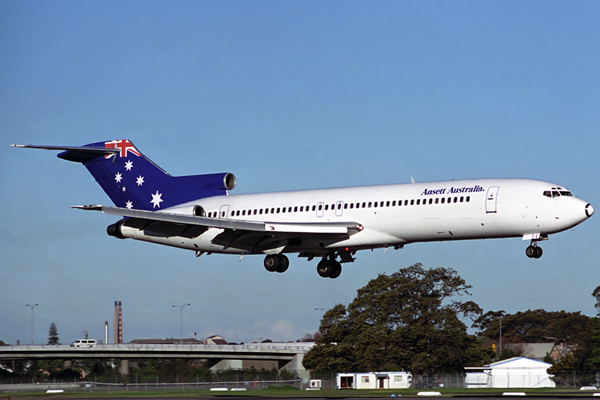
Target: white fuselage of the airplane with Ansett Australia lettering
(394, 215)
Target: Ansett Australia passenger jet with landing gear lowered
(197, 212)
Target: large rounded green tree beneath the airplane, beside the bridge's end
(408, 320)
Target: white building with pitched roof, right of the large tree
(516, 372)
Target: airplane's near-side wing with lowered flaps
(249, 235)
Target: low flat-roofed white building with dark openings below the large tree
(374, 380)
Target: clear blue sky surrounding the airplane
(286, 95)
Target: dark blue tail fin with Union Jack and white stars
(131, 180)
